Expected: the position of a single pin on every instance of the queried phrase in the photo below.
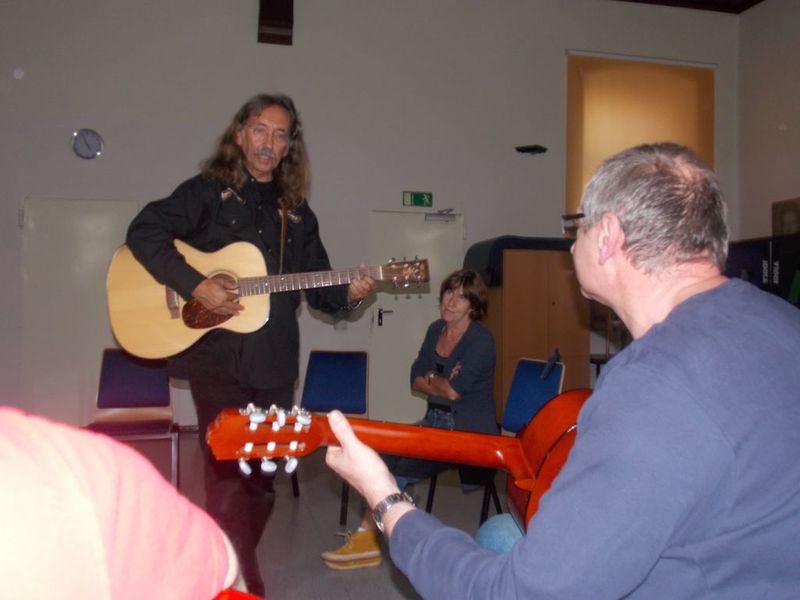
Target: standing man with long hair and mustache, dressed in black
(252, 189)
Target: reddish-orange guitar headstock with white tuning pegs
(256, 434)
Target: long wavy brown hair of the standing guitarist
(293, 174)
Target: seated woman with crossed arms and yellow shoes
(455, 369)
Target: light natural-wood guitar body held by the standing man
(147, 322)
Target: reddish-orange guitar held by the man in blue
(533, 458)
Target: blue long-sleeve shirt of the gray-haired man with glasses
(683, 481)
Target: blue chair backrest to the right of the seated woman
(529, 392)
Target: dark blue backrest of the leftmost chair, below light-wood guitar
(127, 381)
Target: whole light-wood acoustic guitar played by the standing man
(151, 320)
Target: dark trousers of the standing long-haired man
(240, 505)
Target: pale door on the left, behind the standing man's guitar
(66, 247)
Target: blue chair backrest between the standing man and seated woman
(336, 379)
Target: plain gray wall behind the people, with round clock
(418, 94)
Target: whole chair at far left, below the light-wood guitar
(134, 405)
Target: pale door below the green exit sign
(399, 318)
